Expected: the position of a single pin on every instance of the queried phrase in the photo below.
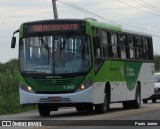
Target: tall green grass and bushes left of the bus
(9, 93)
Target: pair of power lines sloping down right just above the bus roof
(70, 4)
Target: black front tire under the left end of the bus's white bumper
(44, 110)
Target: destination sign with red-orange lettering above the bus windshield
(54, 27)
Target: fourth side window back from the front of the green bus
(122, 44)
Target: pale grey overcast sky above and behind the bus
(145, 16)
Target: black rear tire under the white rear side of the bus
(137, 102)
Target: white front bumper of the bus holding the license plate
(86, 96)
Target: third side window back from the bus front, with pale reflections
(114, 45)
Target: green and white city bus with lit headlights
(83, 63)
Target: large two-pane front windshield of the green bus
(64, 54)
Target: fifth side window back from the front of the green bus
(130, 47)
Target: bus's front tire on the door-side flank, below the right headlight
(102, 108)
